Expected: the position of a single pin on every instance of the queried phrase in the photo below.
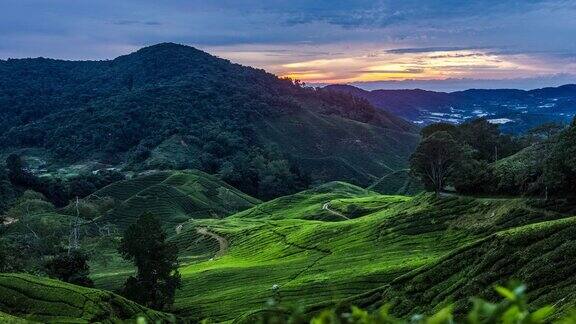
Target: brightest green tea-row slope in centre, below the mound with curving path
(314, 261)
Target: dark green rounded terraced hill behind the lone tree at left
(175, 196)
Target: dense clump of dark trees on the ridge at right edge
(475, 158)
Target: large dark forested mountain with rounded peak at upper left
(172, 106)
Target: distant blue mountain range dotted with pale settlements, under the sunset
(515, 110)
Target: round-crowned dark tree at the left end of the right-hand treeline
(435, 159)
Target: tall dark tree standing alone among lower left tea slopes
(157, 277)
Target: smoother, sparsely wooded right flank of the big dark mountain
(336, 148)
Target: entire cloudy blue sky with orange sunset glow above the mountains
(438, 45)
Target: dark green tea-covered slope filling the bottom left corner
(51, 301)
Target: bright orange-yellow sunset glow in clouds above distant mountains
(394, 67)
